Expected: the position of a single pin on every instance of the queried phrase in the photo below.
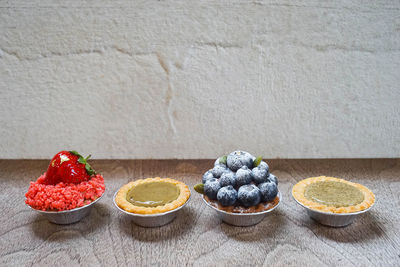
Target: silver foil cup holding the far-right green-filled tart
(332, 219)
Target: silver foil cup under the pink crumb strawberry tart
(68, 216)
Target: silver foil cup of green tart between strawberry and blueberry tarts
(152, 220)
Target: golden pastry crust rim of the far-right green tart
(299, 189)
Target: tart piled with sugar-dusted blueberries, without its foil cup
(240, 183)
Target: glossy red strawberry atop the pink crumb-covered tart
(68, 167)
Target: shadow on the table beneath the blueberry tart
(267, 228)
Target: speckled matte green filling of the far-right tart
(334, 194)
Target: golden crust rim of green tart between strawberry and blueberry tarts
(124, 204)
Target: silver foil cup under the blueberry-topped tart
(242, 219)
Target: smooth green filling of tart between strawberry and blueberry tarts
(152, 194)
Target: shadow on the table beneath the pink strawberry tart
(97, 219)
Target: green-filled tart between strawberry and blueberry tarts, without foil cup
(152, 195)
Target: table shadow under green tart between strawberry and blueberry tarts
(180, 225)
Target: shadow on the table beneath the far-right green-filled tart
(365, 228)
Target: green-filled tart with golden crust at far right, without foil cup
(329, 194)
